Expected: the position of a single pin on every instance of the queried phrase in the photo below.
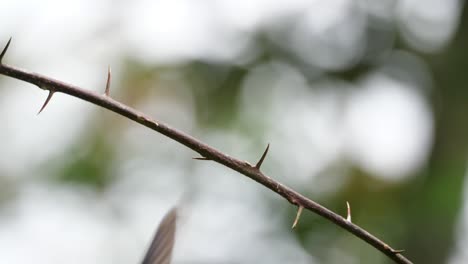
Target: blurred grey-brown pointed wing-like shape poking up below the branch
(160, 251)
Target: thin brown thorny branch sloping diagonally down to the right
(203, 149)
